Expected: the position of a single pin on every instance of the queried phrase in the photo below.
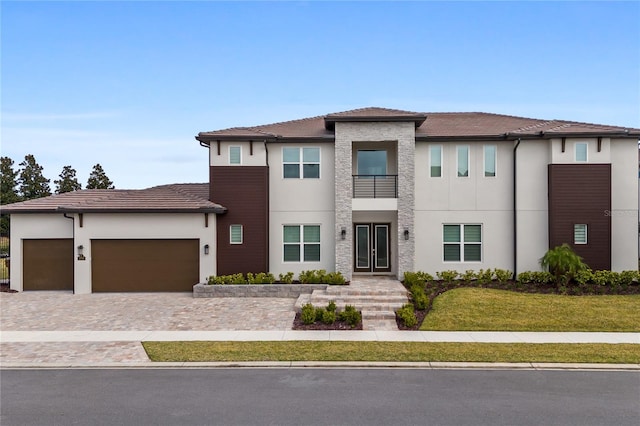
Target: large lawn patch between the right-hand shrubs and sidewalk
(481, 309)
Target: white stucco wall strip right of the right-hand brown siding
(624, 205)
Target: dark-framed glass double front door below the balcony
(372, 247)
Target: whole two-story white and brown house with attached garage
(367, 191)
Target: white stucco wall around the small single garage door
(33, 226)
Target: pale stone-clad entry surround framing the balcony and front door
(345, 135)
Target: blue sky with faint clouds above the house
(129, 84)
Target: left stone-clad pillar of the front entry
(343, 196)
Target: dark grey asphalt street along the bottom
(290, 396)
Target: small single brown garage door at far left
(47, 264)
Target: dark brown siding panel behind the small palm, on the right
(581, 193)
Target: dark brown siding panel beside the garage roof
(244, 191)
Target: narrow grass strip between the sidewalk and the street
(198, 351)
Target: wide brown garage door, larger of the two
(144, 265)
